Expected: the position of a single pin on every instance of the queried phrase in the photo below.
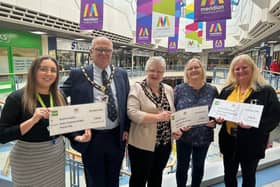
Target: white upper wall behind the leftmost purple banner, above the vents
(119, 17)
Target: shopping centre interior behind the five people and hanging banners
(30, 28)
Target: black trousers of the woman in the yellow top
(248, 169)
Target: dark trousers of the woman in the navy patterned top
(184, 153)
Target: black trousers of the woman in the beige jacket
(147, 166)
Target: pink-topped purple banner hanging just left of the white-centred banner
(144, 21)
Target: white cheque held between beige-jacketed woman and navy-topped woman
(189, 117)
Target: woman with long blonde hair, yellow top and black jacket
(240, 143)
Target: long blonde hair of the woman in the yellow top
(256, 79)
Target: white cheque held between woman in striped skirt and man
(65, 119)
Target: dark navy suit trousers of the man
(102, 161)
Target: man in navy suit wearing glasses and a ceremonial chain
(103, 155)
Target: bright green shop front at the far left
(17, 51)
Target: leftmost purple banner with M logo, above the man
(91, 15)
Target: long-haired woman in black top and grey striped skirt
(37, 159)
